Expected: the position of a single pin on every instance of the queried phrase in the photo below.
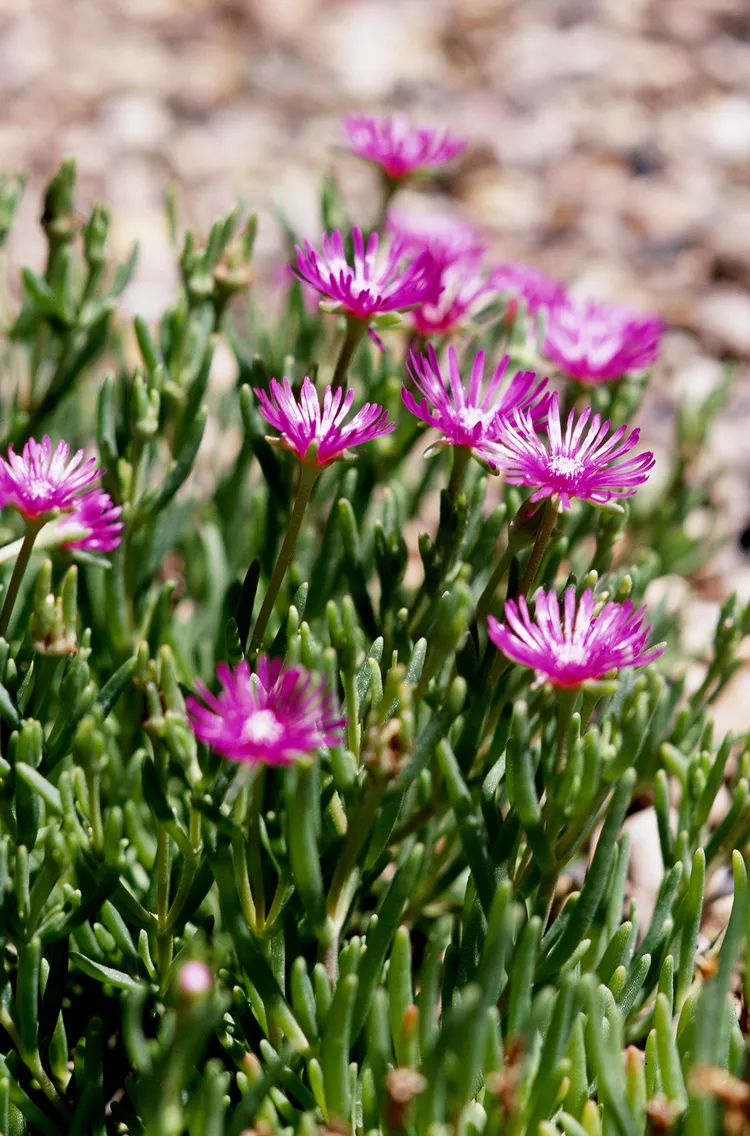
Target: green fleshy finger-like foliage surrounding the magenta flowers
(428, 929)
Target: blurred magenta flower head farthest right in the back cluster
(598, 343)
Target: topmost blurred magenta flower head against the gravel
(397, 147)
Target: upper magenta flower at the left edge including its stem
(39, 483)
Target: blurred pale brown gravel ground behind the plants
(610, 146)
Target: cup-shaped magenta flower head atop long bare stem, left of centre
(303, 423)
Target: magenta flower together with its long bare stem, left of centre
(318, 436)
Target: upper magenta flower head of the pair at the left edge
(38, 481)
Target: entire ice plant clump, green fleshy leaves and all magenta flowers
(315, 757)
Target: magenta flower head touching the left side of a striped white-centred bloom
(472, 420)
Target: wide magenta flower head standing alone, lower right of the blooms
(578, 648)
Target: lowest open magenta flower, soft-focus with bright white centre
(273, 717)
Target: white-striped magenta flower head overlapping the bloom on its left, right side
(584, 463)
